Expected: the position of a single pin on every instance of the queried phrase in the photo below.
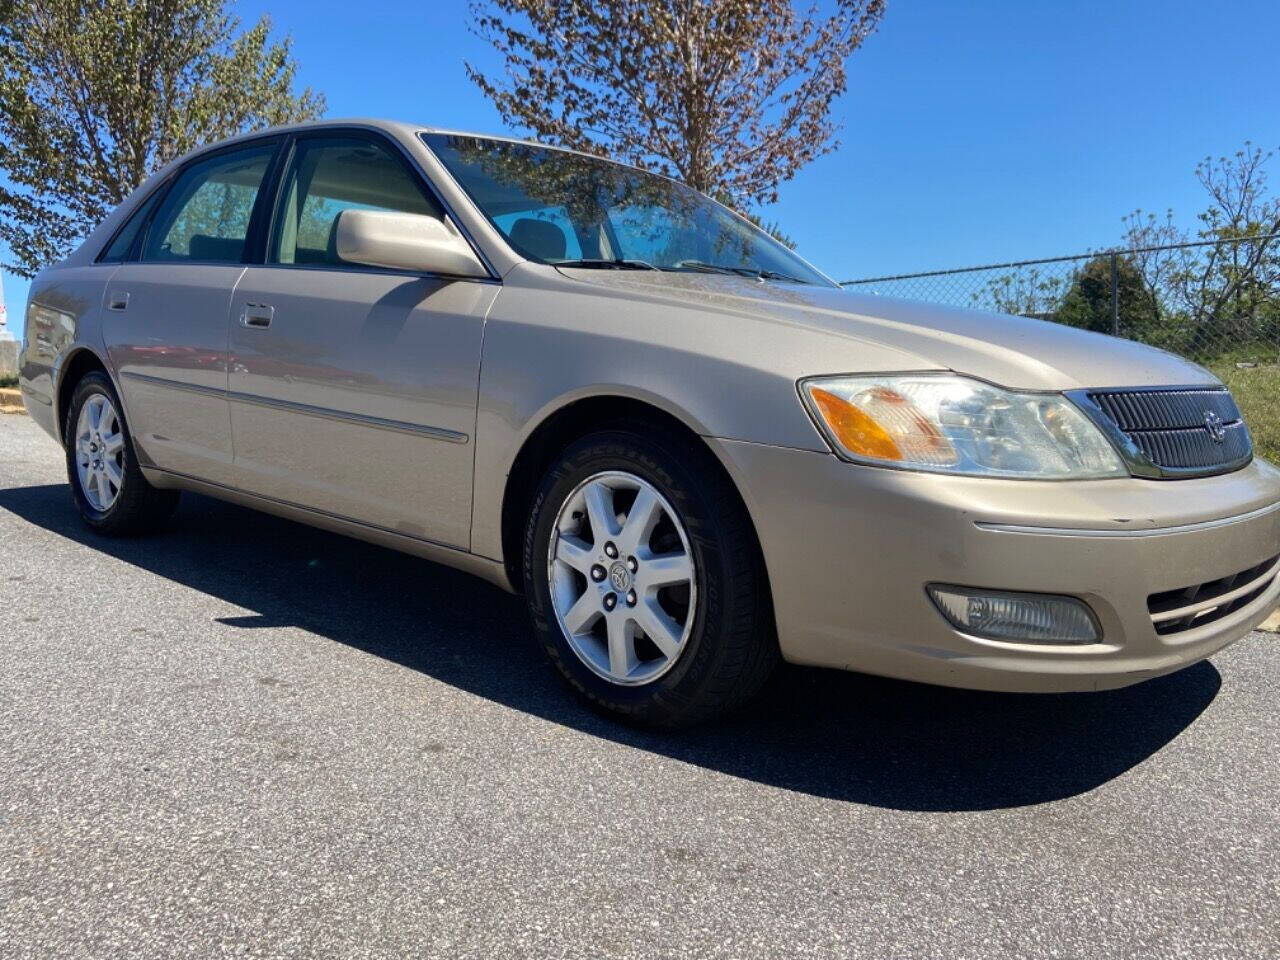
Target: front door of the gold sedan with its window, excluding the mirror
(354, 388)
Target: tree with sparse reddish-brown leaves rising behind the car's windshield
(730, 97)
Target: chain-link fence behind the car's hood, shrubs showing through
(1217, 303)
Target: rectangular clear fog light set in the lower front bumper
(1026, 619)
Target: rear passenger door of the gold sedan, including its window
(166, 313)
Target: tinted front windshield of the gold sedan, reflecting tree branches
(561, 208)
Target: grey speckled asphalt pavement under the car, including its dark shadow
(246, 738)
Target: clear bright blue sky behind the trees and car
(973, 132)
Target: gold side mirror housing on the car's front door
(405, 243)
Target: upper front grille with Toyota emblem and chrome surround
(1178, 432)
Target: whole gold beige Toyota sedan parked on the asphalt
(689, 450)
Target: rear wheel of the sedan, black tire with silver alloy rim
(108, 487)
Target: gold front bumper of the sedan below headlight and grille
(852, 548)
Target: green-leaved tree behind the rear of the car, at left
(97, 95)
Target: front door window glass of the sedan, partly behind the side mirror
(330, 176)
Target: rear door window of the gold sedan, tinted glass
(205, 217)
